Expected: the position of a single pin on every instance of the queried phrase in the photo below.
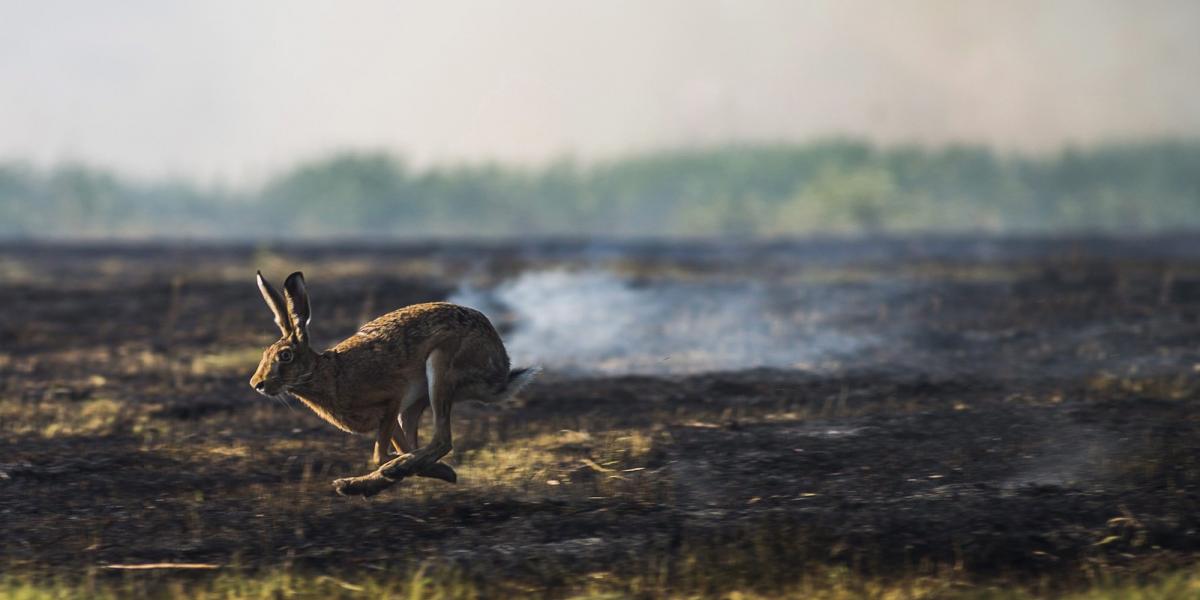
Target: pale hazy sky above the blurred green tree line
(238, 89)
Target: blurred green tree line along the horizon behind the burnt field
(835, 187)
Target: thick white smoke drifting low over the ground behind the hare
(596, 321)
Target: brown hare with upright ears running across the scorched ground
(382, 379)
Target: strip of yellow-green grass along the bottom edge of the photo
(823, 584)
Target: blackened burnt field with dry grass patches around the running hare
(932, 417)
